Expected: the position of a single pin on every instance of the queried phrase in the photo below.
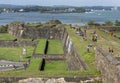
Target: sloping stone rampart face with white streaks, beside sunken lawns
(73, 59)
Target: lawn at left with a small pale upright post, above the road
(15, 53)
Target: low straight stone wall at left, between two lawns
(11, 43)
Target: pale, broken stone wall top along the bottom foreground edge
(82, 79)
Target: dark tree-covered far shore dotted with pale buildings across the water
(42, 9)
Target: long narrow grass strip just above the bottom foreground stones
(37, 73)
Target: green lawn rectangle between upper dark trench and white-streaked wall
(55, 47)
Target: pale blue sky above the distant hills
(63, 2)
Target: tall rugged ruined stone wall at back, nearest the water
(22, 31)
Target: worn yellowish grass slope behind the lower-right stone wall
(106, 41)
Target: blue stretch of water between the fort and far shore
(75, 18)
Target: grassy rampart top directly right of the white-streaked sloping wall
(80, 45)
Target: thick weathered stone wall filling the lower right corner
(108, 65)
